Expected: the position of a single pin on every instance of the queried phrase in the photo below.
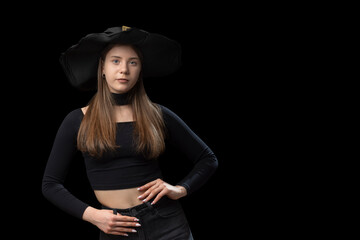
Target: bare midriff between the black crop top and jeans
(124, 198)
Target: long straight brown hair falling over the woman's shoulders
(97, 132)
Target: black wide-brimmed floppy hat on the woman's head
(161, 55)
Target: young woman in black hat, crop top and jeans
(121, 134)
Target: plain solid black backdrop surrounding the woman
(260, 84)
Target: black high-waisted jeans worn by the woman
(164, 220)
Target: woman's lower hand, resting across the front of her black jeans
(110, 223)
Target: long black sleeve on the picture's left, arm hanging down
(61, 155)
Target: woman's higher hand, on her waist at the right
(159, 188)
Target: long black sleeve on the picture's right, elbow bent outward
(185, 140)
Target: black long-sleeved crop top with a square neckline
(124, 168)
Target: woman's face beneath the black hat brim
(122, 68)
